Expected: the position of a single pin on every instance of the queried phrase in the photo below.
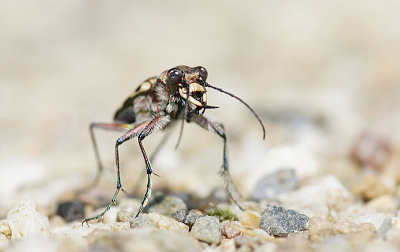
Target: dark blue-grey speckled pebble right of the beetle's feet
(280, 221)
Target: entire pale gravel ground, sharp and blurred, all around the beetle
(323, 76)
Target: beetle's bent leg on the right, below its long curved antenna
(218, 128)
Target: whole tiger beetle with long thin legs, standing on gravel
(176, 94)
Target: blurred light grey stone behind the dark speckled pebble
(274, 184)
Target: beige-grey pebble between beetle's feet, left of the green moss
(166, 205)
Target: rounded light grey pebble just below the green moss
(207, 229)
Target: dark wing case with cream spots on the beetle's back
(137, 103)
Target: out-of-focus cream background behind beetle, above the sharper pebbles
(323, 76)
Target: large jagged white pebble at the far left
(25, 220)
